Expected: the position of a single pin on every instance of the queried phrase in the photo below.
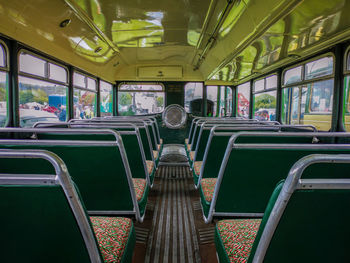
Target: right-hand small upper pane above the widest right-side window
(319, 68)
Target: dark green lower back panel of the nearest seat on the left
(39, 222)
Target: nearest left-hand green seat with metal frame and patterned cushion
(44, 217)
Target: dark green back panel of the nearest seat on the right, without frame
(315, 224)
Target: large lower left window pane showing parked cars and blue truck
(41, 101)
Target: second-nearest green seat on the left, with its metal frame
(100, 168)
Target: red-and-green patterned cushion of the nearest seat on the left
(112, 235)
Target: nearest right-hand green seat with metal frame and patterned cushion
(306, 220)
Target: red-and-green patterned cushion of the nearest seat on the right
(237, 237)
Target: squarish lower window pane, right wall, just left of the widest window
(265, 106)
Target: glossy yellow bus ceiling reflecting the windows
(113, 39)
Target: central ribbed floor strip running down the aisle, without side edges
(173, 235)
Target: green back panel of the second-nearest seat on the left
(98, 171)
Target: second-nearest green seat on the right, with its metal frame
(249, 171)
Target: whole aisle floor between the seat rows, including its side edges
(173, 230)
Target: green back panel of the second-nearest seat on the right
(249, 179)
